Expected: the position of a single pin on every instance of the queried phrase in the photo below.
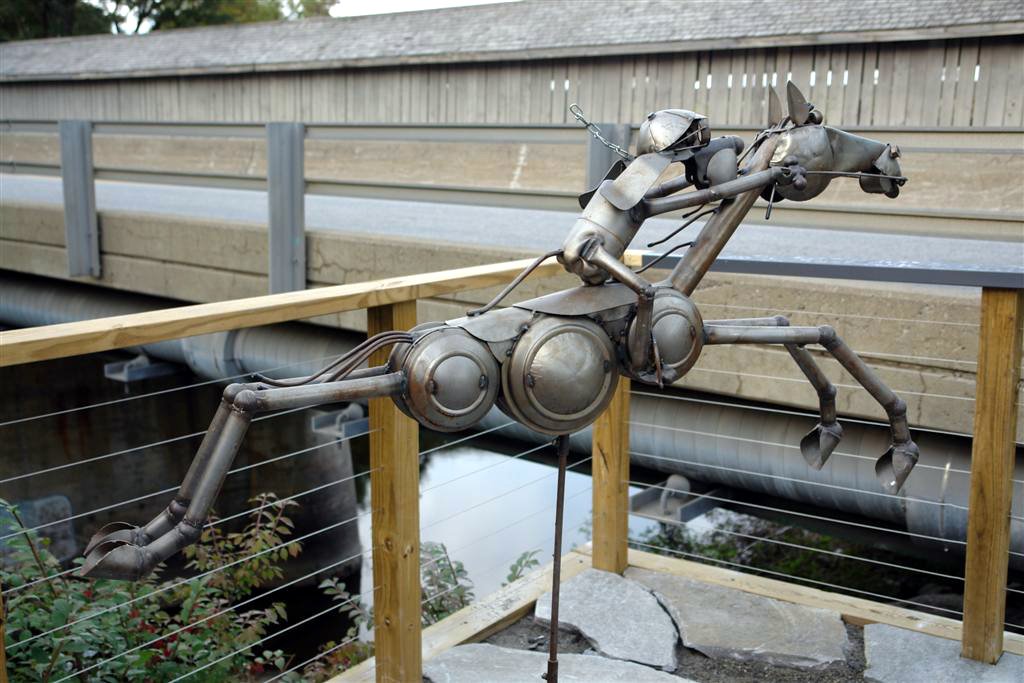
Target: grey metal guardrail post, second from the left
(286, 187)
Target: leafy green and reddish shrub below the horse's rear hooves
(147, 630)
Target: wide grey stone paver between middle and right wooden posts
(729, 624)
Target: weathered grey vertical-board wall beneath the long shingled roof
(938, 83)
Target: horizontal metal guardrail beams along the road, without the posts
(920, 220)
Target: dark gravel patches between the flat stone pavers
(527, 635)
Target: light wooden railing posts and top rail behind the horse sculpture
(392, 305)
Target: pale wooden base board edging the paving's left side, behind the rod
(483, 619)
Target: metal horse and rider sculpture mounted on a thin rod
(552, 364)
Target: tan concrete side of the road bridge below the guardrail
(923, 340)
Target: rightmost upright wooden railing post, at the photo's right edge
(992, 471)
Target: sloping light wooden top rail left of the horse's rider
(57, 341)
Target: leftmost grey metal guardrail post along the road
(81, 227)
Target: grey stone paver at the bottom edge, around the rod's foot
(484, 663)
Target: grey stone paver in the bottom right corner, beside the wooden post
(898, 656)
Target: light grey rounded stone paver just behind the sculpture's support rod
(621, 619)
